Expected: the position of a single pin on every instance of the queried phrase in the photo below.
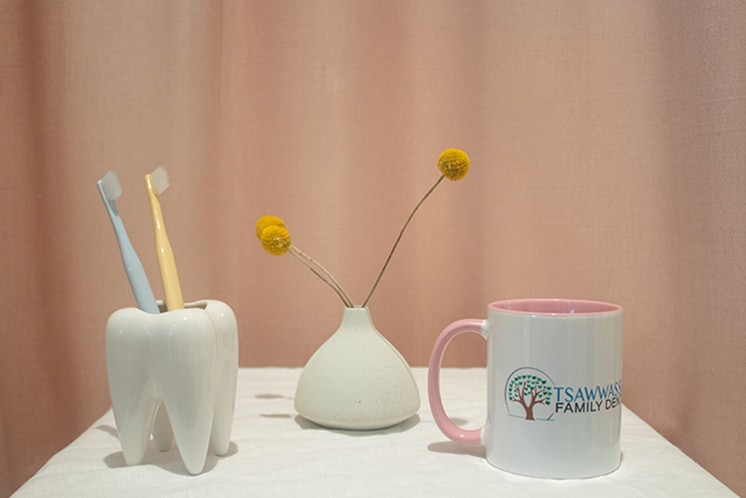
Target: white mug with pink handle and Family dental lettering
(554, 381)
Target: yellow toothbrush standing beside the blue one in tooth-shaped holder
(157, 183)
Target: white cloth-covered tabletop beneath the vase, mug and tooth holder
(276, 453)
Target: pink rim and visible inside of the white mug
(554, 307)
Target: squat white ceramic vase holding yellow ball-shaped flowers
(357, 379)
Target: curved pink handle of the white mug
(444, 423)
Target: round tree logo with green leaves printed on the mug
(528, 394)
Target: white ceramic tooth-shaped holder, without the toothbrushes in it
(185, 361)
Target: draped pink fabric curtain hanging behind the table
(607, 141)
